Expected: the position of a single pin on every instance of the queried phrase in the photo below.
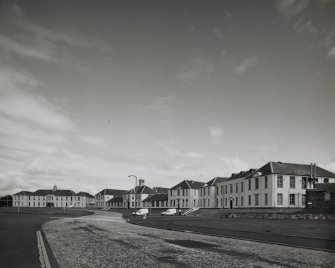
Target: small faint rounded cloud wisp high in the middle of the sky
(196, 70)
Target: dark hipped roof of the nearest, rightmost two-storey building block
(293, 169)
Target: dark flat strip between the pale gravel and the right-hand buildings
(314, 234)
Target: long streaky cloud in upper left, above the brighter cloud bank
(34, 41)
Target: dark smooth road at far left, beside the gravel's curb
(18, 239)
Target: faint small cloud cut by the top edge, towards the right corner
(290, 8)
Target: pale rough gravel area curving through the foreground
(106, 240)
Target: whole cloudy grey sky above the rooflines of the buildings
(94, 91)
